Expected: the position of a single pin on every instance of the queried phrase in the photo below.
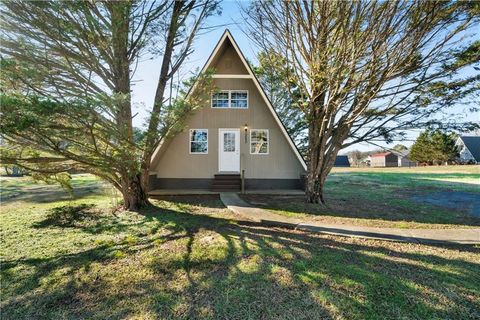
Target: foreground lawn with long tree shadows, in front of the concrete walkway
(186, 258)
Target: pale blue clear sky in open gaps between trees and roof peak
(147, 73)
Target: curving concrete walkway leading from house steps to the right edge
(463, 236)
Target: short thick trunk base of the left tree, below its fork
(134, 193)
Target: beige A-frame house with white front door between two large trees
(237, 132)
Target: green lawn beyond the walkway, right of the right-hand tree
(387, 197)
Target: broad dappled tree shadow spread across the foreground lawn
(211, 267)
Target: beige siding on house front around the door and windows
(175, 161)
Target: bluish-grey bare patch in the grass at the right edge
(465, 201)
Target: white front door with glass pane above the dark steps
(229, 150)
